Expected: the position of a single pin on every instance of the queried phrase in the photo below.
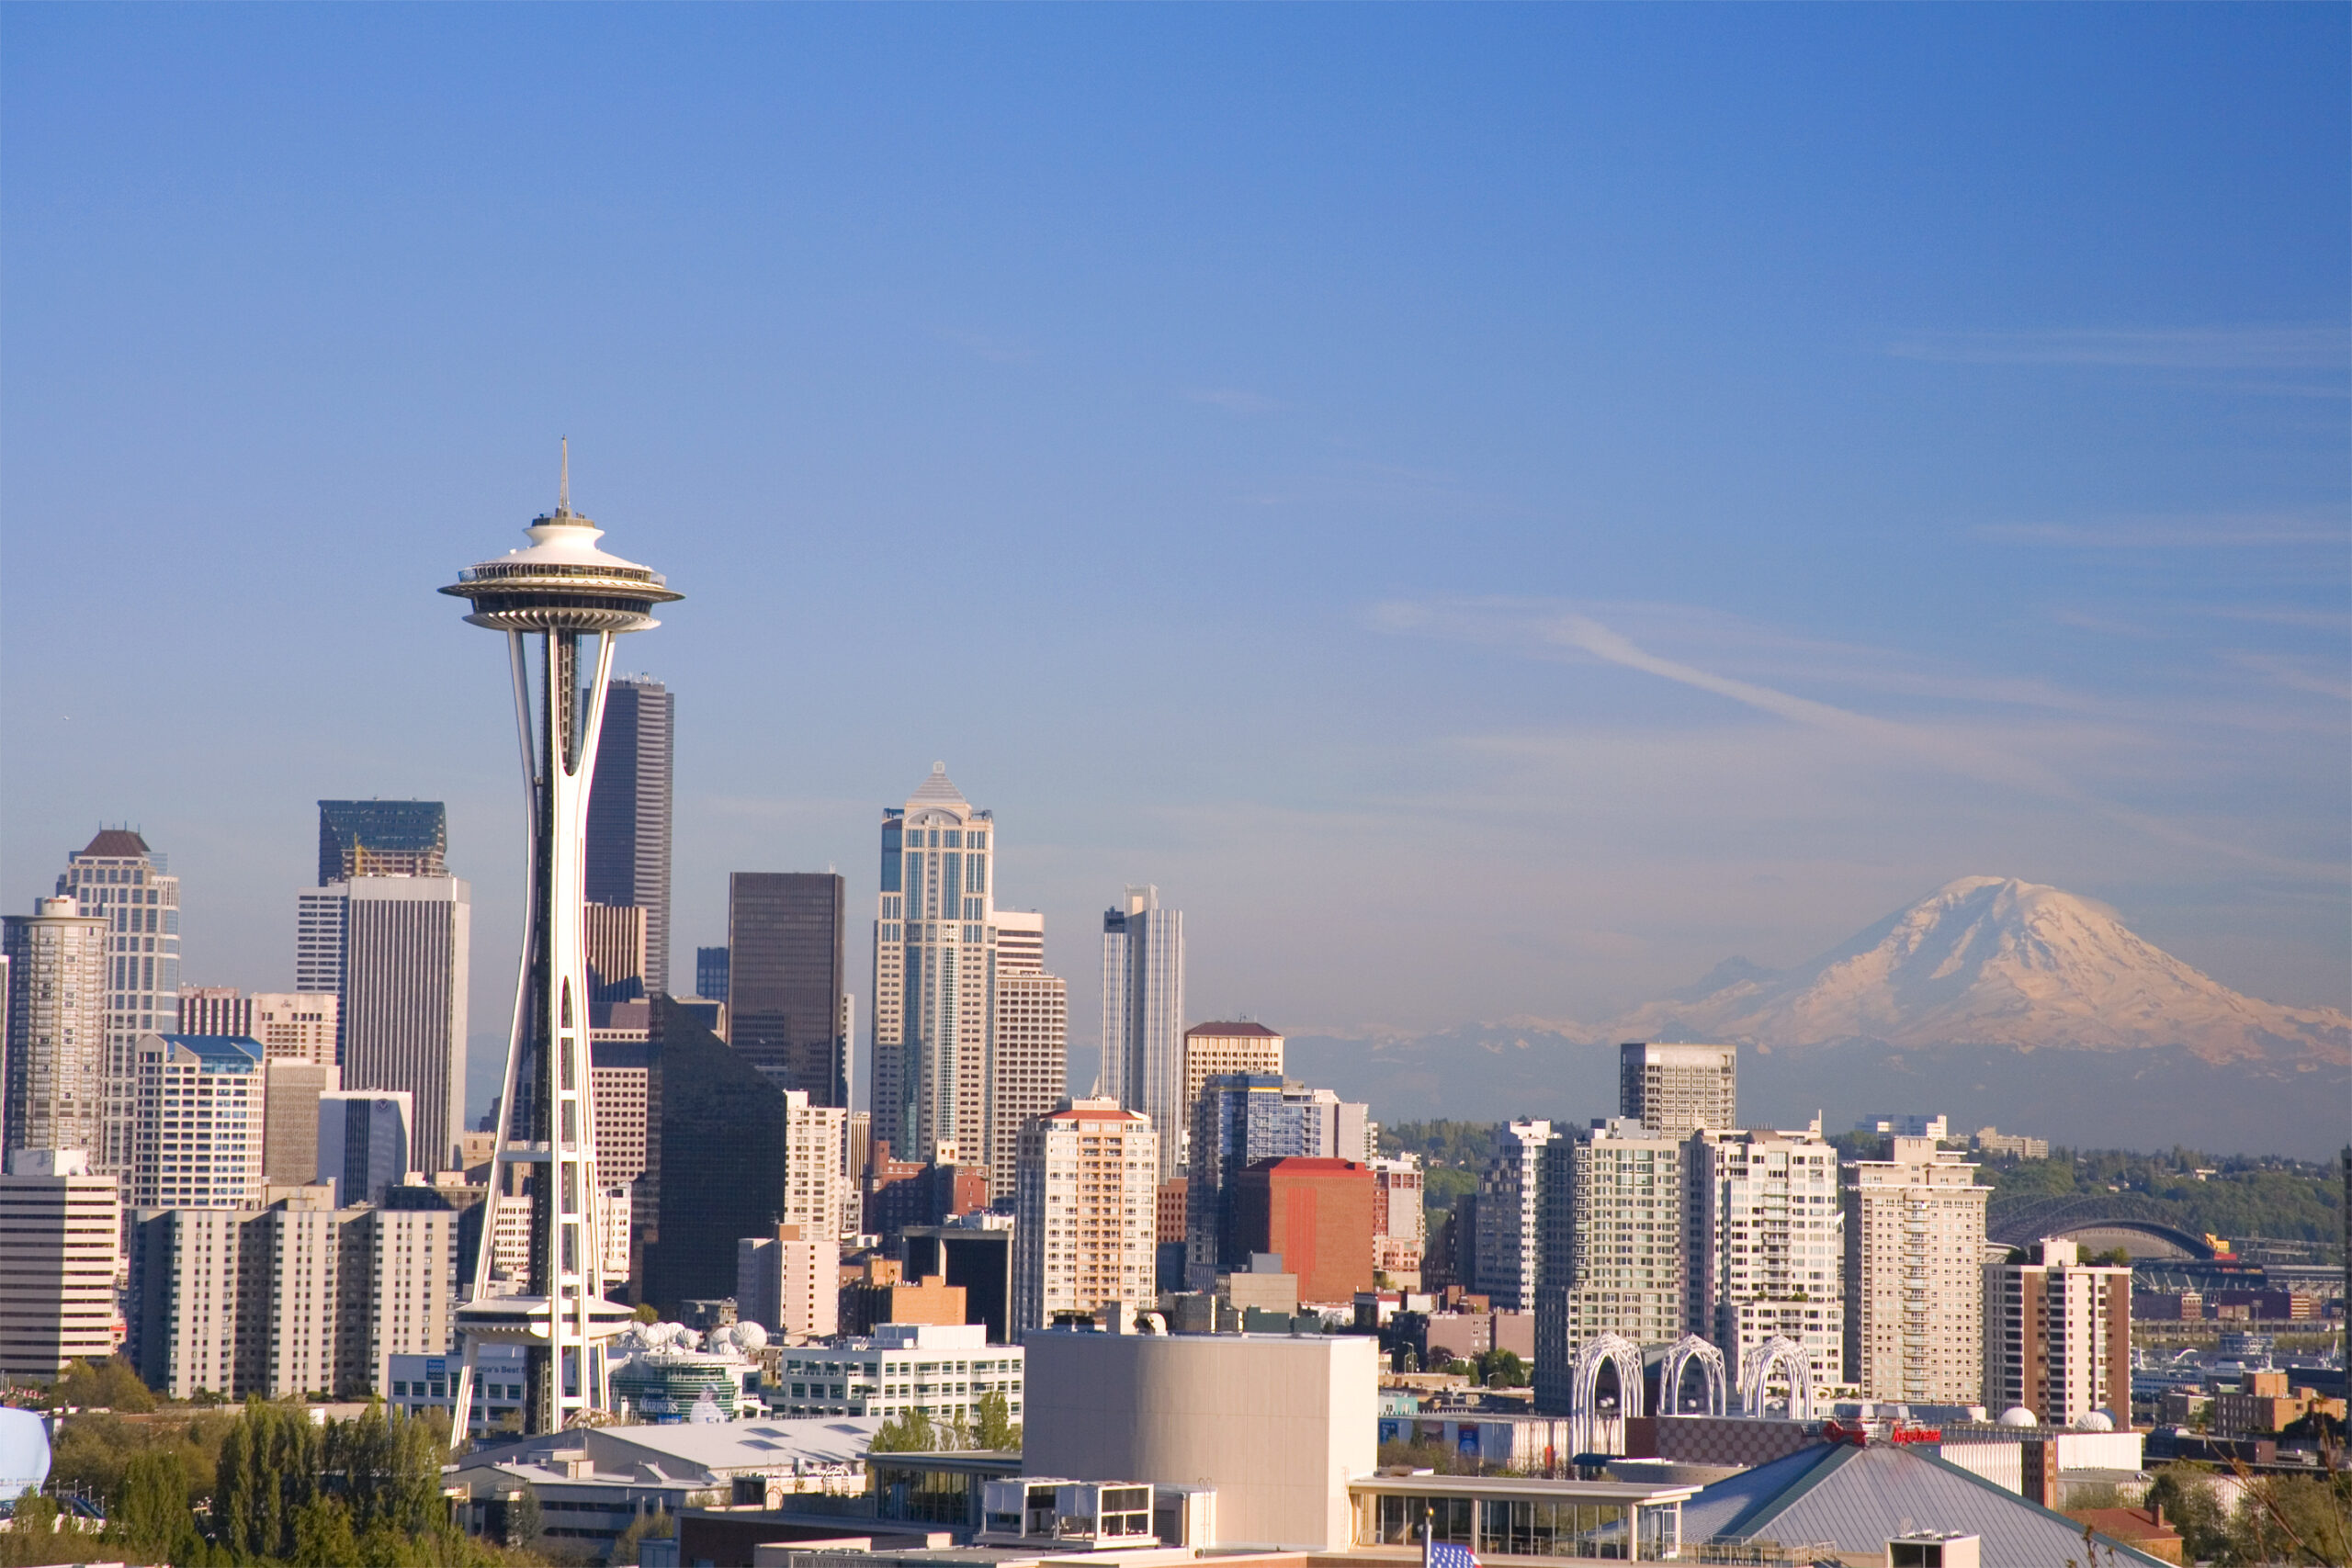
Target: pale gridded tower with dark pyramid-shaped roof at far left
(123, 883)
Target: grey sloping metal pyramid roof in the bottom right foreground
(1859, 1499)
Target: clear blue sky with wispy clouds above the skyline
(1492, 509)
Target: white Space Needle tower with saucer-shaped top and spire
(573, 601)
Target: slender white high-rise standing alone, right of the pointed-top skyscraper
(1144, 1017)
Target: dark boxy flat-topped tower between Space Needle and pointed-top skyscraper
(787, 979)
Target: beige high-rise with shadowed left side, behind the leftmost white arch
(1612, 1217)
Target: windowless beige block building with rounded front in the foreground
(1278, 1426)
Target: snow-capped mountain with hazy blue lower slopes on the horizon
(1991, 1000)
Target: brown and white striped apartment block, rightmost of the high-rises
(2059, 1336)
